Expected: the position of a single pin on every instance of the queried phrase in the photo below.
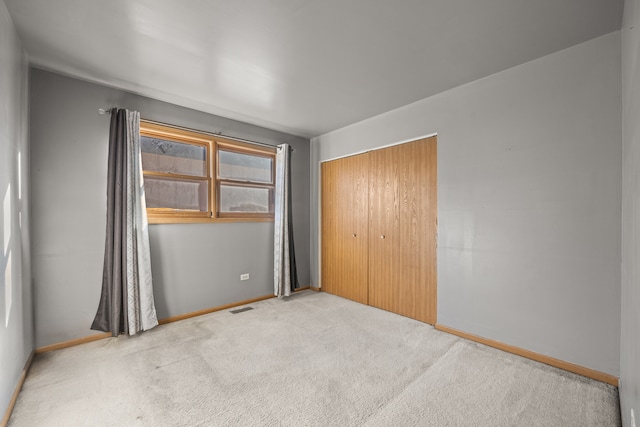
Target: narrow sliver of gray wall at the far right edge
(630, 332)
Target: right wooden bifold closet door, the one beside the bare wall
(403, 209)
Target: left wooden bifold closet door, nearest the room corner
(345, 227)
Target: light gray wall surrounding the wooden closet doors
(528, 200)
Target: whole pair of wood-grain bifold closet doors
(389, 196)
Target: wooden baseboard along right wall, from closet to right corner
(561, 364)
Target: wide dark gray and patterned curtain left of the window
(126, 303)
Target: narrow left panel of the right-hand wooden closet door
(384, 228)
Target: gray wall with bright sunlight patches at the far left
(16, 314)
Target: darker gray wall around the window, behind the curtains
(195, 266)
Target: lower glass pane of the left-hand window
(176, 194)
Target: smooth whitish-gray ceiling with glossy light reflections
(299, 66)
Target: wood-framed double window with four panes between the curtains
(197, 177)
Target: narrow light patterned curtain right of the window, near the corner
(285, 273)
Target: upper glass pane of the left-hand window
(161, 155)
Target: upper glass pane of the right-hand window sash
(245, 167)
